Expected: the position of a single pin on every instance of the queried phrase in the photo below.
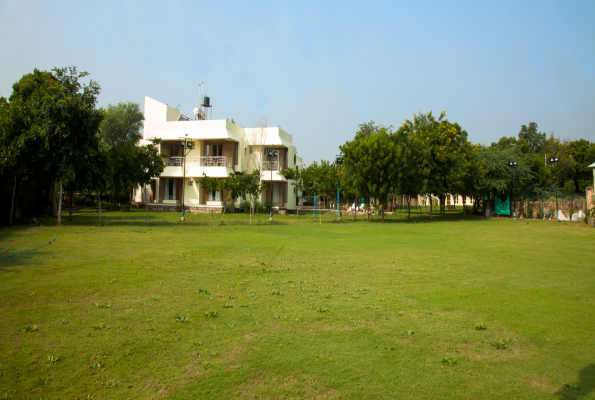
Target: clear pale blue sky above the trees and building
(318, 69)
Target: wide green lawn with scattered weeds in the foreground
(297, 310)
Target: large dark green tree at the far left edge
(53, 117)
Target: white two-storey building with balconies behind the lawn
(219, 147)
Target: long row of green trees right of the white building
(433, 157)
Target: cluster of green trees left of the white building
(53, 134)
